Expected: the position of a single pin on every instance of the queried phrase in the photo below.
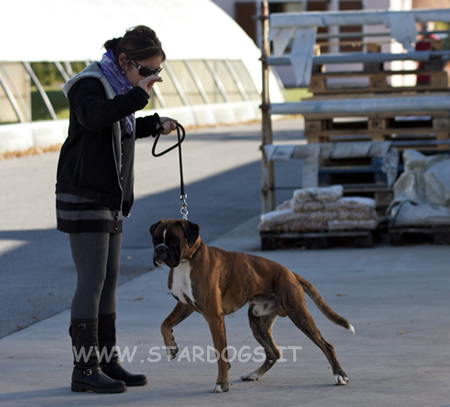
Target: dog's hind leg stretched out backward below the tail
(293, 302)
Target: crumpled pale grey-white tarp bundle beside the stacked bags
(422, 192)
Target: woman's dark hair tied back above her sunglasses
(139, 42)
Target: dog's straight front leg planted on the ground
(216, 323)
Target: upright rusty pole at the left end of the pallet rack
(267, 169)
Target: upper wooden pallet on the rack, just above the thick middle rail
(376, 82)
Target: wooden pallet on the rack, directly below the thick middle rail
(419, 130)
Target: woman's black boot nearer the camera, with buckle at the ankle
(87, 375)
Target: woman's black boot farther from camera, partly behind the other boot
(110, 361)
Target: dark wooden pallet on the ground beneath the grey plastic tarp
(404, 235)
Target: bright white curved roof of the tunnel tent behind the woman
(69, 30)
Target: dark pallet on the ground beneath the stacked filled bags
(319, 239)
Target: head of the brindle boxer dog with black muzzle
(174, 241)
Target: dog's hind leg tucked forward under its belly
(262, 331)
